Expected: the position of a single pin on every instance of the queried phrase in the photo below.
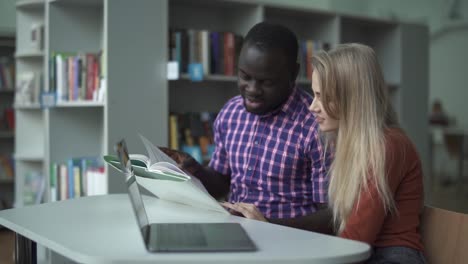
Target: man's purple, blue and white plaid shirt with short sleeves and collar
(275, 160)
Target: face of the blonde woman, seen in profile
(326, 123)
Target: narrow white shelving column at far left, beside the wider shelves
(29, 133)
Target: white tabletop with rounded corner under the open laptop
(103, 229)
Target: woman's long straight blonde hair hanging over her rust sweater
(353, 91)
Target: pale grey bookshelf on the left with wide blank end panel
(81, 127)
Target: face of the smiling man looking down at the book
(264, 79)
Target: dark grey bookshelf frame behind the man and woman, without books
(401, 48)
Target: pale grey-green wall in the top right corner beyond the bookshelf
(448, 56)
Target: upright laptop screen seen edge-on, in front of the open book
(133, 191)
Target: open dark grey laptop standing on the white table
(180, 237)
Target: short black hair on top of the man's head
(267, 36)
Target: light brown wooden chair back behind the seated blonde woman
(444, 236)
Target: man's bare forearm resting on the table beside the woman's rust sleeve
(320, 221)
